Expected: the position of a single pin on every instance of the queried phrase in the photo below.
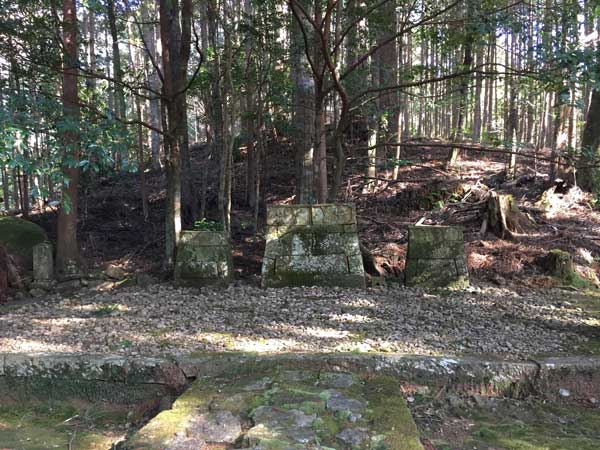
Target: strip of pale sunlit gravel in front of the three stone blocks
(162, 319)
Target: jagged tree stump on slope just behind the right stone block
(504, 218)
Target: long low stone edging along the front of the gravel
(95, 375)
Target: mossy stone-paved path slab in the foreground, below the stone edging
(283, 409)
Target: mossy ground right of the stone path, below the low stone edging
(488, 423)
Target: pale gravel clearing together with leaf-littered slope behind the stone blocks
(514, 308)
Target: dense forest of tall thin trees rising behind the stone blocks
(215, 109)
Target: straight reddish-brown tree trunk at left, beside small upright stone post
(67, 249)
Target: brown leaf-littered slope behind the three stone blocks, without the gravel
(112, 229)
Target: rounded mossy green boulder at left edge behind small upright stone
(20, 236)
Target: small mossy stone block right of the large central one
(436, 257)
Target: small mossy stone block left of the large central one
(203, 257)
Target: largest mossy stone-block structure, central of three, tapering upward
(312, 245)
